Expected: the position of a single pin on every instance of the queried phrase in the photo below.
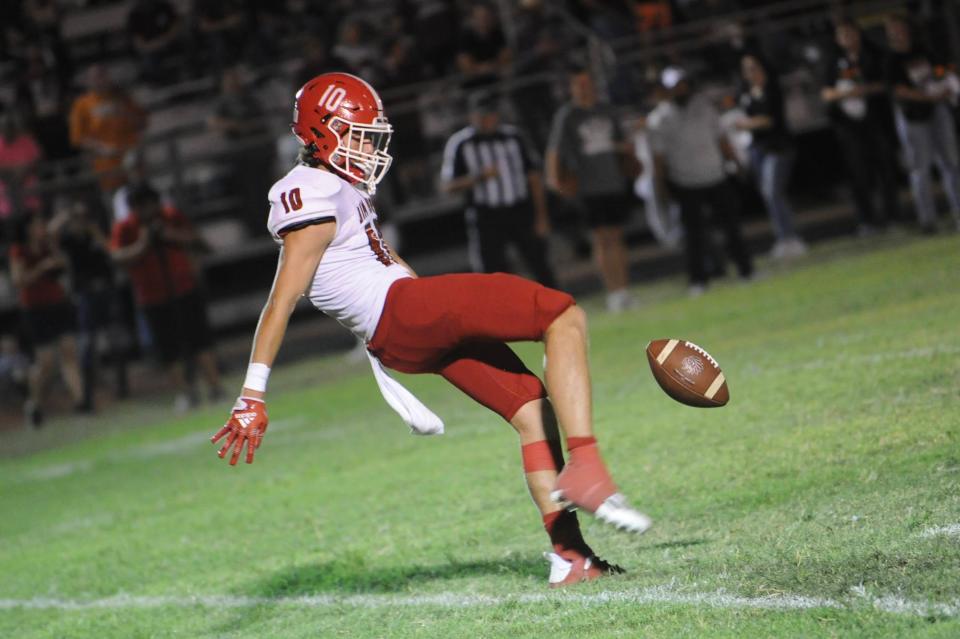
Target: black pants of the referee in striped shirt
(489, 231)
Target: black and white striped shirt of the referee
(469, 152)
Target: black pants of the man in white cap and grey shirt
(724, 206)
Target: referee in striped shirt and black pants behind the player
(495, 164)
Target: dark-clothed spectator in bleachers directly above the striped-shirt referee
(483, 52)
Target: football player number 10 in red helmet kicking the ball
(454, 325)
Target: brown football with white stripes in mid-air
(687, 373)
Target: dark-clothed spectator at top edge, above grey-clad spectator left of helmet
(222, 27)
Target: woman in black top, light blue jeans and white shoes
(771, 152)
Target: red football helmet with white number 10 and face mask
(339, 120)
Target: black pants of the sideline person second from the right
(870, 160)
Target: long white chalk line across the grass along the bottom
(653, 595)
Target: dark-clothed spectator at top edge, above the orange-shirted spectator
(155, 30)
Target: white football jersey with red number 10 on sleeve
(356, 270)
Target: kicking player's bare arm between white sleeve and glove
(298, 261)
